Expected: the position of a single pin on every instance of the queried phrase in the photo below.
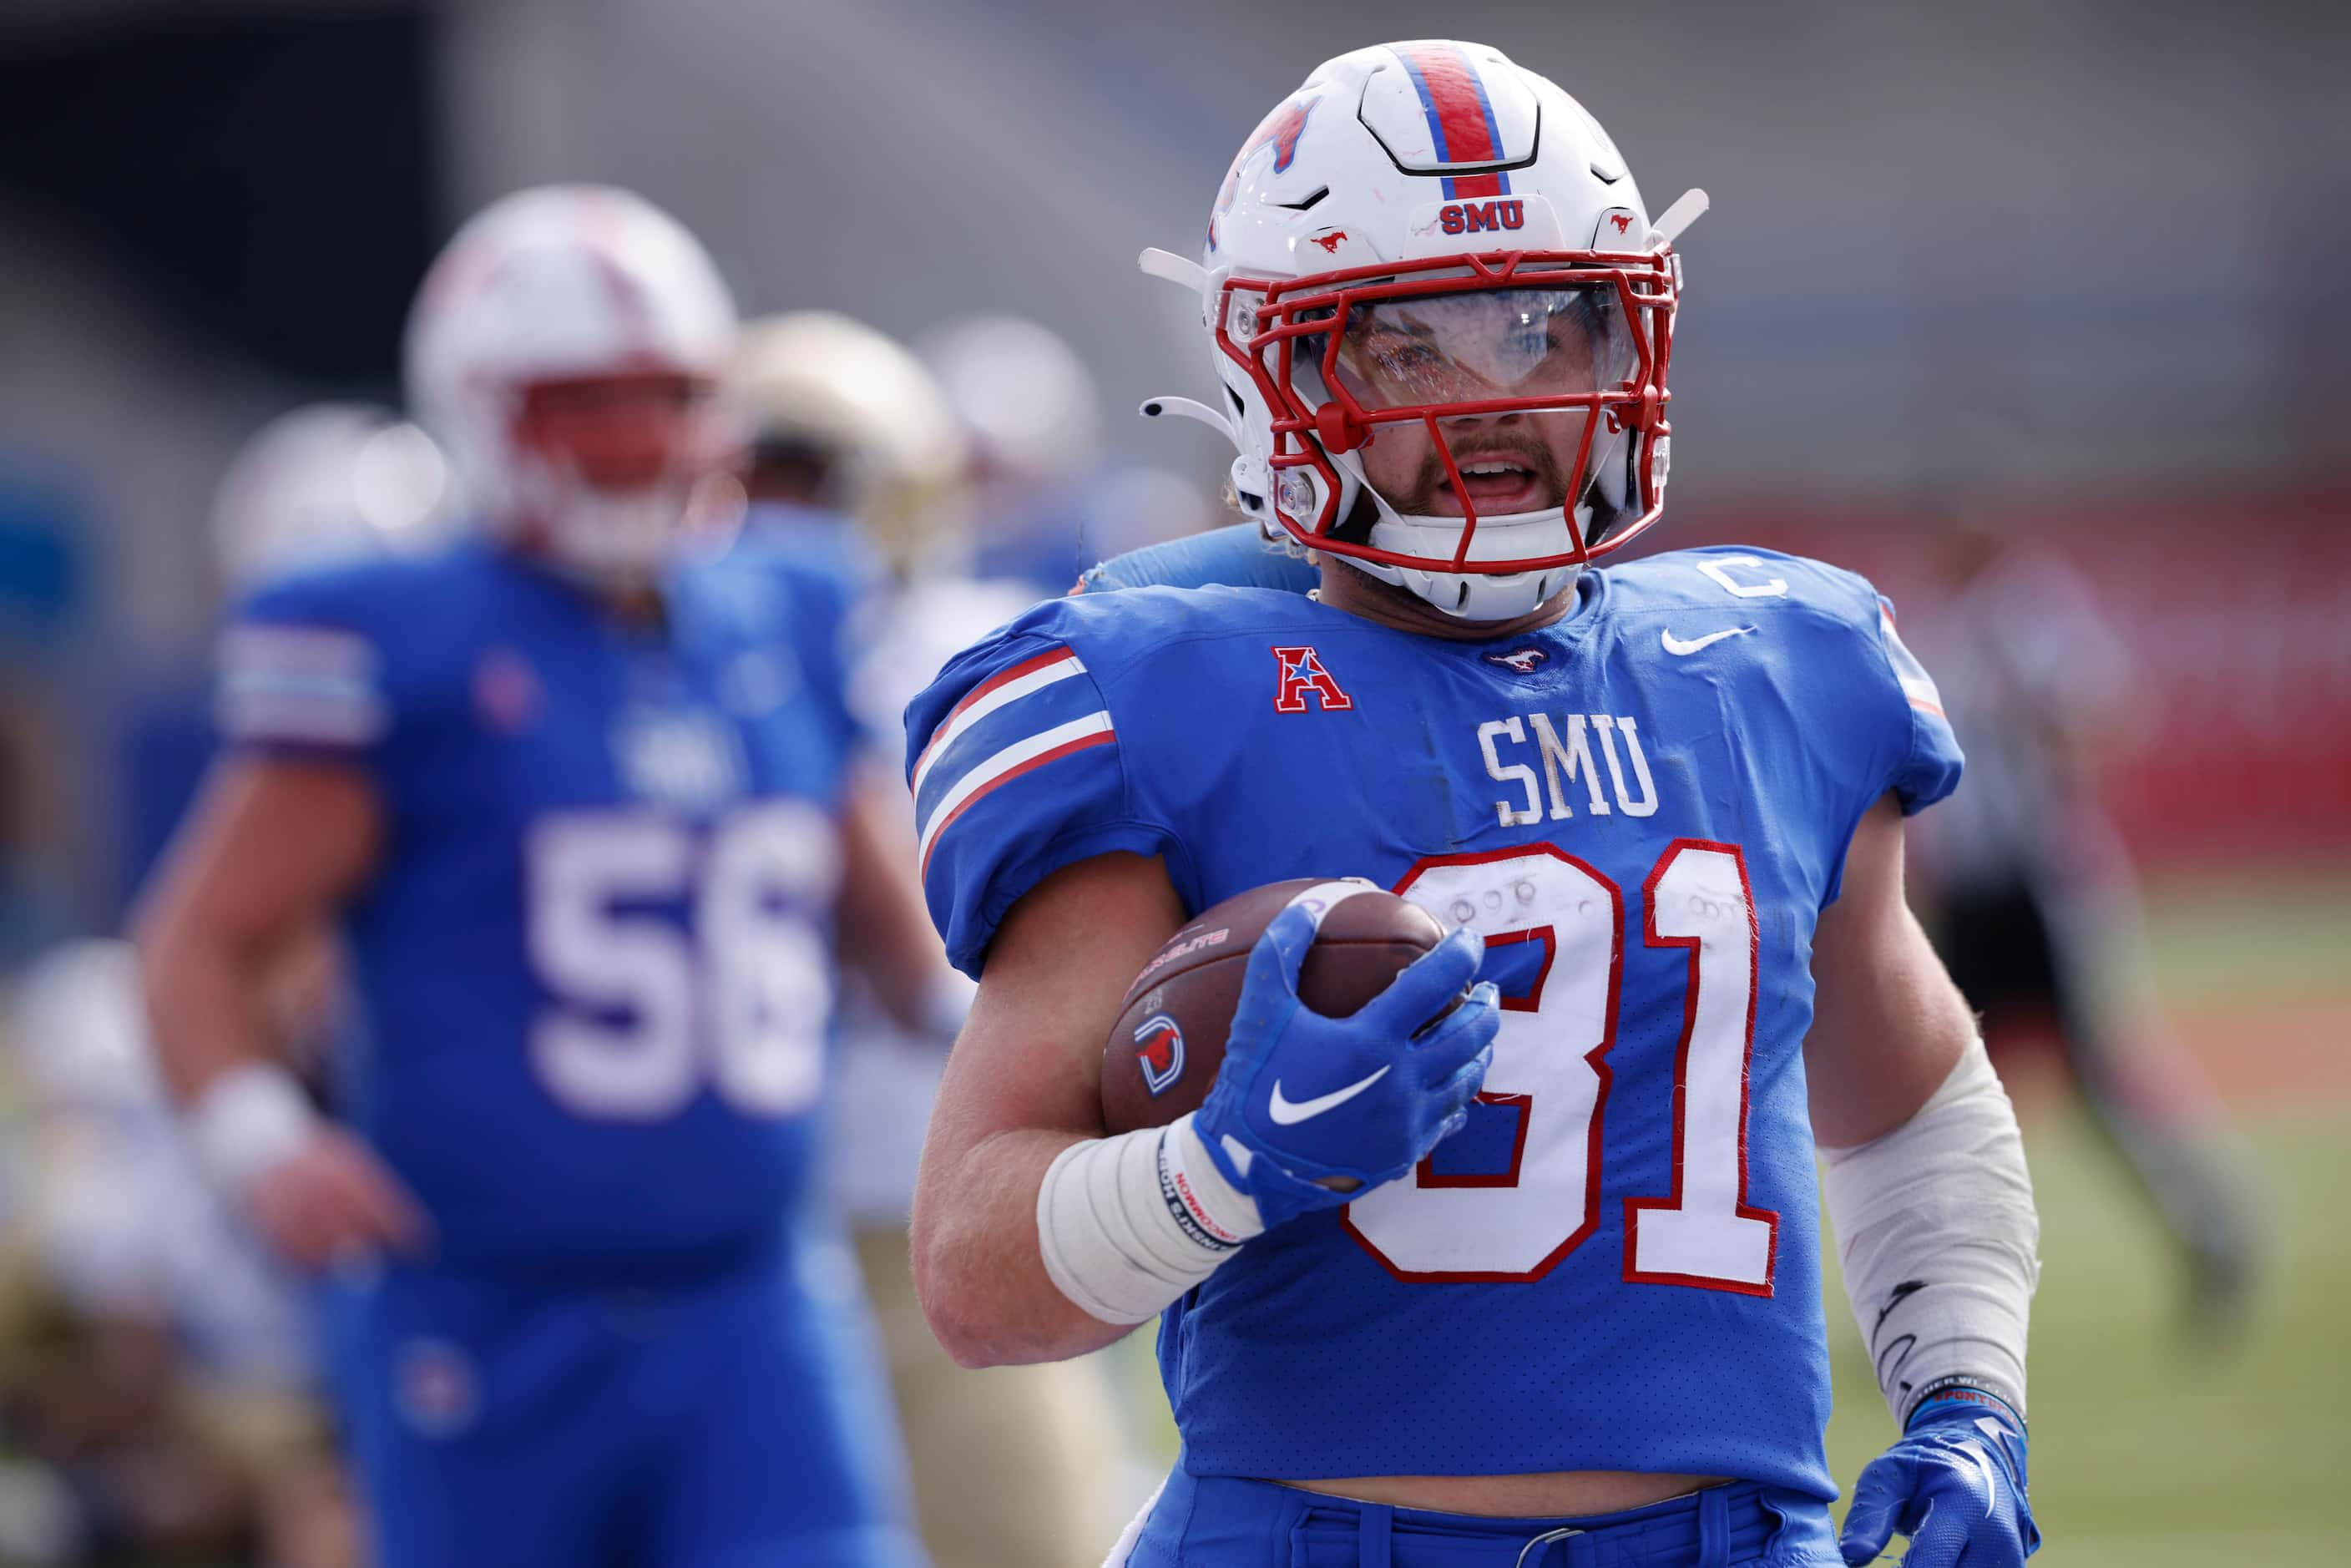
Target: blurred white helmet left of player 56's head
(328, 483)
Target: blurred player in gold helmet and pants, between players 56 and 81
(857, 453)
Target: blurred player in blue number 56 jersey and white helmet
(577, 796)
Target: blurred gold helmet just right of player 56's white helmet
(864, 415)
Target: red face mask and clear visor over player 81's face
(1463, 389)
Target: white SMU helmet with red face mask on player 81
(1442, 319)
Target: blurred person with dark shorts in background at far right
(2032, 894)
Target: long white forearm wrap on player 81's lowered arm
(1941, 1242)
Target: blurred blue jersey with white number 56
(594, 953)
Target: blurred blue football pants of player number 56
(723, 1423)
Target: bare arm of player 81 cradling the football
(1022, 1087)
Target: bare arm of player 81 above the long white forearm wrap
(1887, 1021)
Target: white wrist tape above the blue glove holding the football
(1130, 1224)
